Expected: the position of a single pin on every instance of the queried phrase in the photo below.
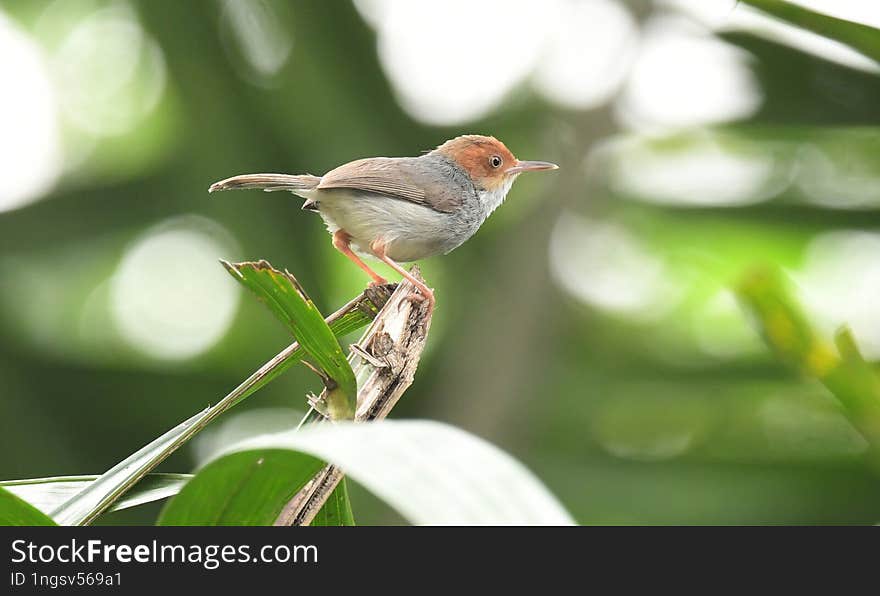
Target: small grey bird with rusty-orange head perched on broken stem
(402, 209)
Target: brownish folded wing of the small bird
(399, 178)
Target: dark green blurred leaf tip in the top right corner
(860, 37)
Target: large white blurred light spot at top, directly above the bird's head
(447, 73)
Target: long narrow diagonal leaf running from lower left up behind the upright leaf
(91, 501)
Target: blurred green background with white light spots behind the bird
(588, 329)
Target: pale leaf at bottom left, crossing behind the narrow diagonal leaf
(47, 494)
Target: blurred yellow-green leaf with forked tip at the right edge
(853, 381)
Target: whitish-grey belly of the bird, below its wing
(408, 230)
